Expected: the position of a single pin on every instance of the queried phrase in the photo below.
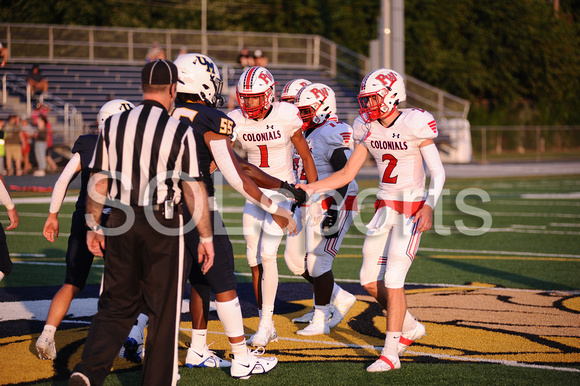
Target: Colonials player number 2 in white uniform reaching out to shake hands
(401, 143)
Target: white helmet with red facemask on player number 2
(380, 92)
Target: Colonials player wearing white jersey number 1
(267, 130)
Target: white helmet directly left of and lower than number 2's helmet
(316, 103)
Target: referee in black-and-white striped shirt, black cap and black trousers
(145, 161)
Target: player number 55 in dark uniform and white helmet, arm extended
(198, 96)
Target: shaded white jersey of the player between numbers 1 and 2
(323, 141)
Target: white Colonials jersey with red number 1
(267, 141)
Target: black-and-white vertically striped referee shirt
(146, 152)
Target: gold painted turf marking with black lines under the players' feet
(467, 323)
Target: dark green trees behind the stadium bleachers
(516, 61)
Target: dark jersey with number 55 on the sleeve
(203, 119)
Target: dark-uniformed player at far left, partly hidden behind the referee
(78, 257)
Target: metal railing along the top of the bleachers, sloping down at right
(43, 43)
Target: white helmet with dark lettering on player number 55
(199, 75)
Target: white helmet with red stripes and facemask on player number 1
(255, 82)
